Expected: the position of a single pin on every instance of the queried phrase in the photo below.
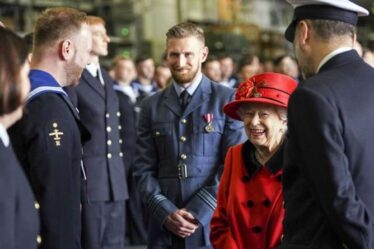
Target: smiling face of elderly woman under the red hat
(264, 124)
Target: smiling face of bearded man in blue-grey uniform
(184, 58)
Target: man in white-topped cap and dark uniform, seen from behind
(328, 174)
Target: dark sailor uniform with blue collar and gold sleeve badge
(47, 141)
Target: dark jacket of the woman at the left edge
(19, 226)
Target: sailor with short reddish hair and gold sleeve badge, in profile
(47, 140)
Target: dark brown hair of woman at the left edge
(13, 55)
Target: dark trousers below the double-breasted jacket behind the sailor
(103, 225)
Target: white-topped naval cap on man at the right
(337, 10)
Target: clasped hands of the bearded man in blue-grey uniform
(181, 223)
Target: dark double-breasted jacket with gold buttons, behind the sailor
(102, 156)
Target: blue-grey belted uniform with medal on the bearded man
(180, 156)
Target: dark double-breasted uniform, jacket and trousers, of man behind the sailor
(103, 212)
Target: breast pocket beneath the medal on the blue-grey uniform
(207, 140)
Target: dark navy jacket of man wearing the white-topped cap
(329, 161)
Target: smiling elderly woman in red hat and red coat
(249, 211)
